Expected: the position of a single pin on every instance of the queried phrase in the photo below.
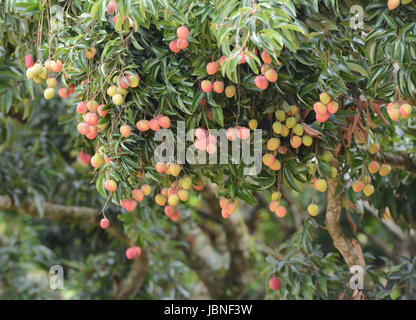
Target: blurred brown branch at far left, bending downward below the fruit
(83, 215)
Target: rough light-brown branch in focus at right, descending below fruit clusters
(332, 221)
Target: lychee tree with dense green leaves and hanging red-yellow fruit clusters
(334, 104)
